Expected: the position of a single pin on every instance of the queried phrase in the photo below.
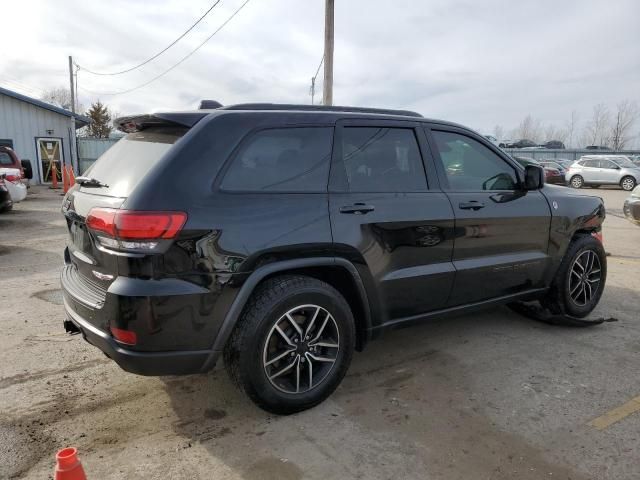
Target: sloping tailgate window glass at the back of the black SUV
(128, 161)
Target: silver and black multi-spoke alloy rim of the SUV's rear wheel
(301, 349)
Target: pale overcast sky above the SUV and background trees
(479, 63)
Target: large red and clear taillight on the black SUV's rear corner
(134, 230)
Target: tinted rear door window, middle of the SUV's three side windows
(378, 159)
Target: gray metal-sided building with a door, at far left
(39, 132)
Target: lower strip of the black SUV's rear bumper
(141, 363)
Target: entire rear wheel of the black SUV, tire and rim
(292, 345)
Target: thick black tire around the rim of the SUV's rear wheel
(267, 308)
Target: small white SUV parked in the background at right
(596, 170)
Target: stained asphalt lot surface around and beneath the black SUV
(483, 396)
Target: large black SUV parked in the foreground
(283, 237)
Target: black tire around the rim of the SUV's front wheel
(559, 299)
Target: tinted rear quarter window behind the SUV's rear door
(292, 159)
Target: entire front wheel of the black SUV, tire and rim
(580, 280)
